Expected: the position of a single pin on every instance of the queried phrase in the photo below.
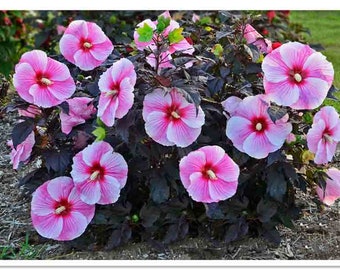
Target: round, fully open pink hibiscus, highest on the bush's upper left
(85, 45)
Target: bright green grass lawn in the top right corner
(324, 27)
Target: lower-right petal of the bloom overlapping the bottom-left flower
(110, 190)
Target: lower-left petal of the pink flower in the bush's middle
(156, 127)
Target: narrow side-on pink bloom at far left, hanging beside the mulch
(23, 151)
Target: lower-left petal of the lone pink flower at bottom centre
(199, 188)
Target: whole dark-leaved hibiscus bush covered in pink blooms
(202, 129)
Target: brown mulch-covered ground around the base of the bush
(316, 234)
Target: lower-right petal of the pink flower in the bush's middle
(181, 134)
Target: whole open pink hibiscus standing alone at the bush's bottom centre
(209, 174)
